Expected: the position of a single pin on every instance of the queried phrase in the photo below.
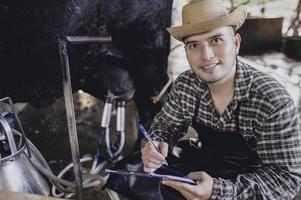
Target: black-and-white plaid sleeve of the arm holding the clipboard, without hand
(279, 149)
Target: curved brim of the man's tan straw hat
(236, 18)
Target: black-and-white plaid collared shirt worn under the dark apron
(266, 111)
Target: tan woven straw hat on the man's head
(206, 15)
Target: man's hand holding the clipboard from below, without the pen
(201, 191)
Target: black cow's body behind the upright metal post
(135, 60)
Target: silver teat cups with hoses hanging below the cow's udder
(109, 149)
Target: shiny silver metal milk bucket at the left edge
(17, 172)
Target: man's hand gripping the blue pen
(152, 159)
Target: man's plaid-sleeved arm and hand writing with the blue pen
(167, 127)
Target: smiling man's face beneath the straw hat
(212, 55)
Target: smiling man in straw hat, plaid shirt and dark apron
(246, 121)
